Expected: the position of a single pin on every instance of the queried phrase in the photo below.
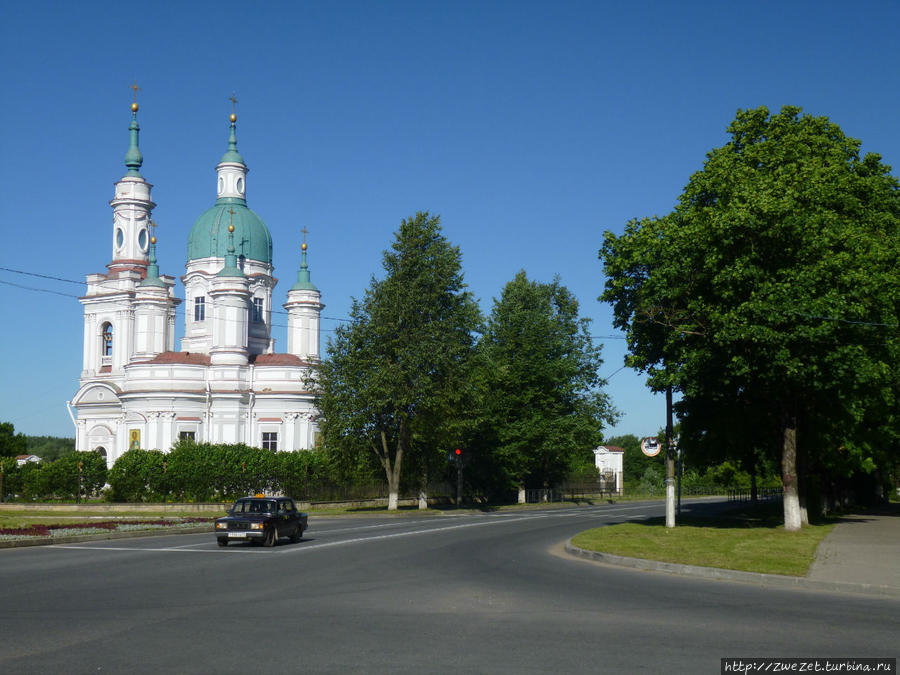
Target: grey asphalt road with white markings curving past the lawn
(487, 593)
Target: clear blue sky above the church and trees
(530, 127)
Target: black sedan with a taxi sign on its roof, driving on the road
(261, 520)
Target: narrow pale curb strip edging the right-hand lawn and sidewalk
(718, 574)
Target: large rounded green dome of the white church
(209, 236)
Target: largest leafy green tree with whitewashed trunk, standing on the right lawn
(774, 279)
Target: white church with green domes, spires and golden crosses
(227, 384)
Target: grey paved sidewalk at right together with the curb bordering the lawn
(860, 555)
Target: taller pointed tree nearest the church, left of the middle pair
(395, 376)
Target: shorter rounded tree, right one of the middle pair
(542, 399)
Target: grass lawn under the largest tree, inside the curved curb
(750, 541)
